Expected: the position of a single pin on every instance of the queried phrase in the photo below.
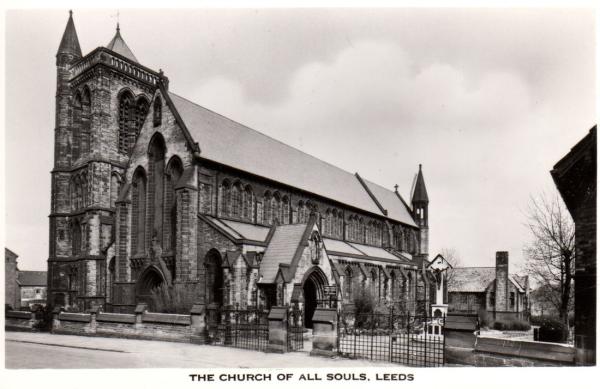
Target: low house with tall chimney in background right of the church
(493, 289)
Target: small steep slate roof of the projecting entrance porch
(281, 250)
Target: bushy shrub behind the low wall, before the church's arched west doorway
(178, 298)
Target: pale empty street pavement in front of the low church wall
(24, 350)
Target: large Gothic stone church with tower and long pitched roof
(150, 189)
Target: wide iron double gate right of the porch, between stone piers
(399, 338)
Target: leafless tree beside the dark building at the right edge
(550, 256)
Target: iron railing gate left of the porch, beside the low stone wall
(240, 328)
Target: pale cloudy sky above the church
(487, 100)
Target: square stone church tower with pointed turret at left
(101, 101)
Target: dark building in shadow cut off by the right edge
(575, 178)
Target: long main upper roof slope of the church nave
(232, 144)
